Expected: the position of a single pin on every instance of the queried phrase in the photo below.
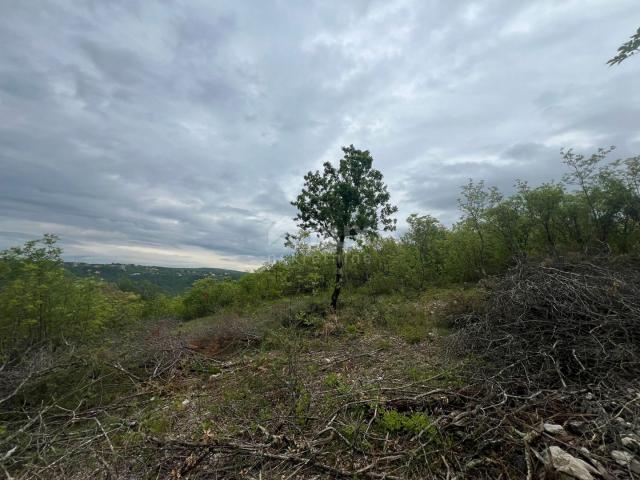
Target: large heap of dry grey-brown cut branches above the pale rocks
(551, 325)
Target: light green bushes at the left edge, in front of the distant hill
(42, 304)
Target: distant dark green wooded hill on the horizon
(145, 279)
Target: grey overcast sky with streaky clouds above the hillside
(177, 133)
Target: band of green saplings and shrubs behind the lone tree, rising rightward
(595, 210)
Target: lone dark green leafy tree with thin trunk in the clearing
(344, 203)
